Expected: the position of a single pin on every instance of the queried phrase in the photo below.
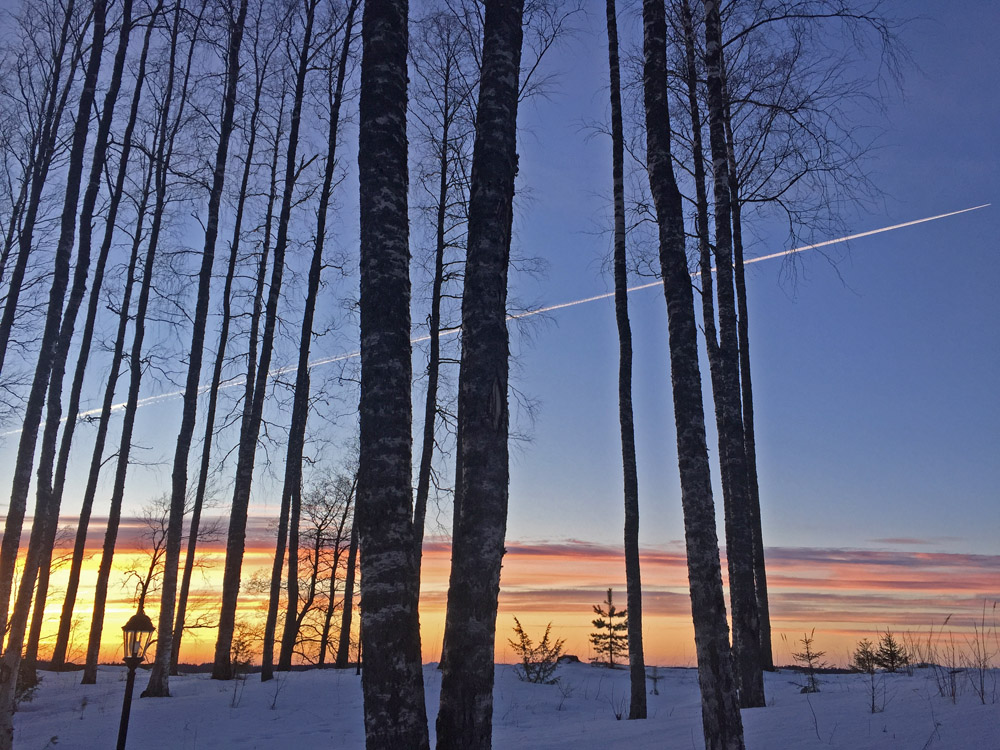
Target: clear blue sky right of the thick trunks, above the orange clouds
(875, 380)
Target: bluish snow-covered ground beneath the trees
(322, 709)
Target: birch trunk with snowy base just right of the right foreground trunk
(739, 523)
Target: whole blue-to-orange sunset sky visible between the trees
(875, 385)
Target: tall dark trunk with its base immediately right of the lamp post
(159, 675)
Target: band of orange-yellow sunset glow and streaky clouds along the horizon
(844, 594)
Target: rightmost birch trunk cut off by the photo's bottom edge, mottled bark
(721, 721)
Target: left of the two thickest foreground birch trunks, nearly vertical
(392, 681)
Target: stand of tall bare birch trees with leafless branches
(181, 172)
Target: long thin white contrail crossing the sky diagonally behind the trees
(233, 382)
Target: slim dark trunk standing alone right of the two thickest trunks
(633, 580)
